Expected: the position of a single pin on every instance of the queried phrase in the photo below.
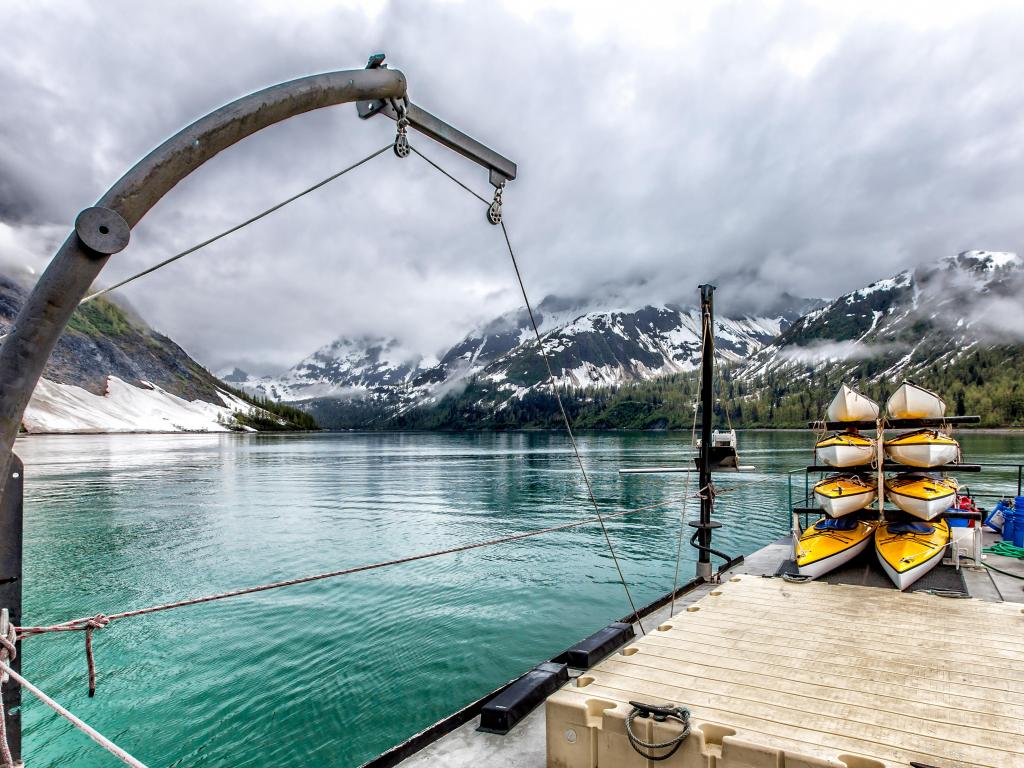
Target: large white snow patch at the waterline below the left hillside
(65, 408)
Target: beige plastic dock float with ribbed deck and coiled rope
(782, 675)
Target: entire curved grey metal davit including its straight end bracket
(105, 230)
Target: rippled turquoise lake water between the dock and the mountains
(333, 673)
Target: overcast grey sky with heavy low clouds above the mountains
(770, 147)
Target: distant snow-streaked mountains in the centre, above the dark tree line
(587, 348)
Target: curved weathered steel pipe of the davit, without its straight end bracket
(75, 267)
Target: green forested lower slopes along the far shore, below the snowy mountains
(988, 382)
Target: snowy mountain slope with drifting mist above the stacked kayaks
(902, 326)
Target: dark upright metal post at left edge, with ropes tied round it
(11, 592)
